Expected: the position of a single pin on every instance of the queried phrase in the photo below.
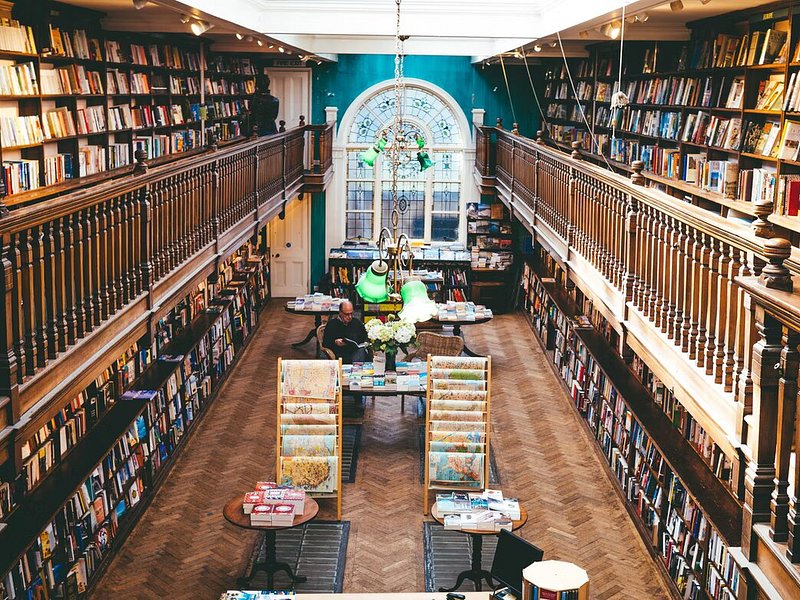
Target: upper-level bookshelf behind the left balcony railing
(78, 102)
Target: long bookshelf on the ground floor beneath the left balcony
(108, 449)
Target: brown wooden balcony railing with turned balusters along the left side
(73, 265)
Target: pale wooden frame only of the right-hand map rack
(471, 363)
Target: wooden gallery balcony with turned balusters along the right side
(693, 295)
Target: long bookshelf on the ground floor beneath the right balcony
(682, 506)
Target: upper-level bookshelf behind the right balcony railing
(716, 121)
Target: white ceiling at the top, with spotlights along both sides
(475, 28)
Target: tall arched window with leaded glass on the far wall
(430, 201)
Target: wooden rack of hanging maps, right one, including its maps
(457, 424)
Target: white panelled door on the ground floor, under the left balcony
(290, 250)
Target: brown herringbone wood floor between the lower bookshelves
(184, 548)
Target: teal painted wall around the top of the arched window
(472, 86)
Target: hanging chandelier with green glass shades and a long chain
(384, 279)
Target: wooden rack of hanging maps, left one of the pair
(309, 440)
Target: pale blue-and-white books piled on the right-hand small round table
(487, 511)
